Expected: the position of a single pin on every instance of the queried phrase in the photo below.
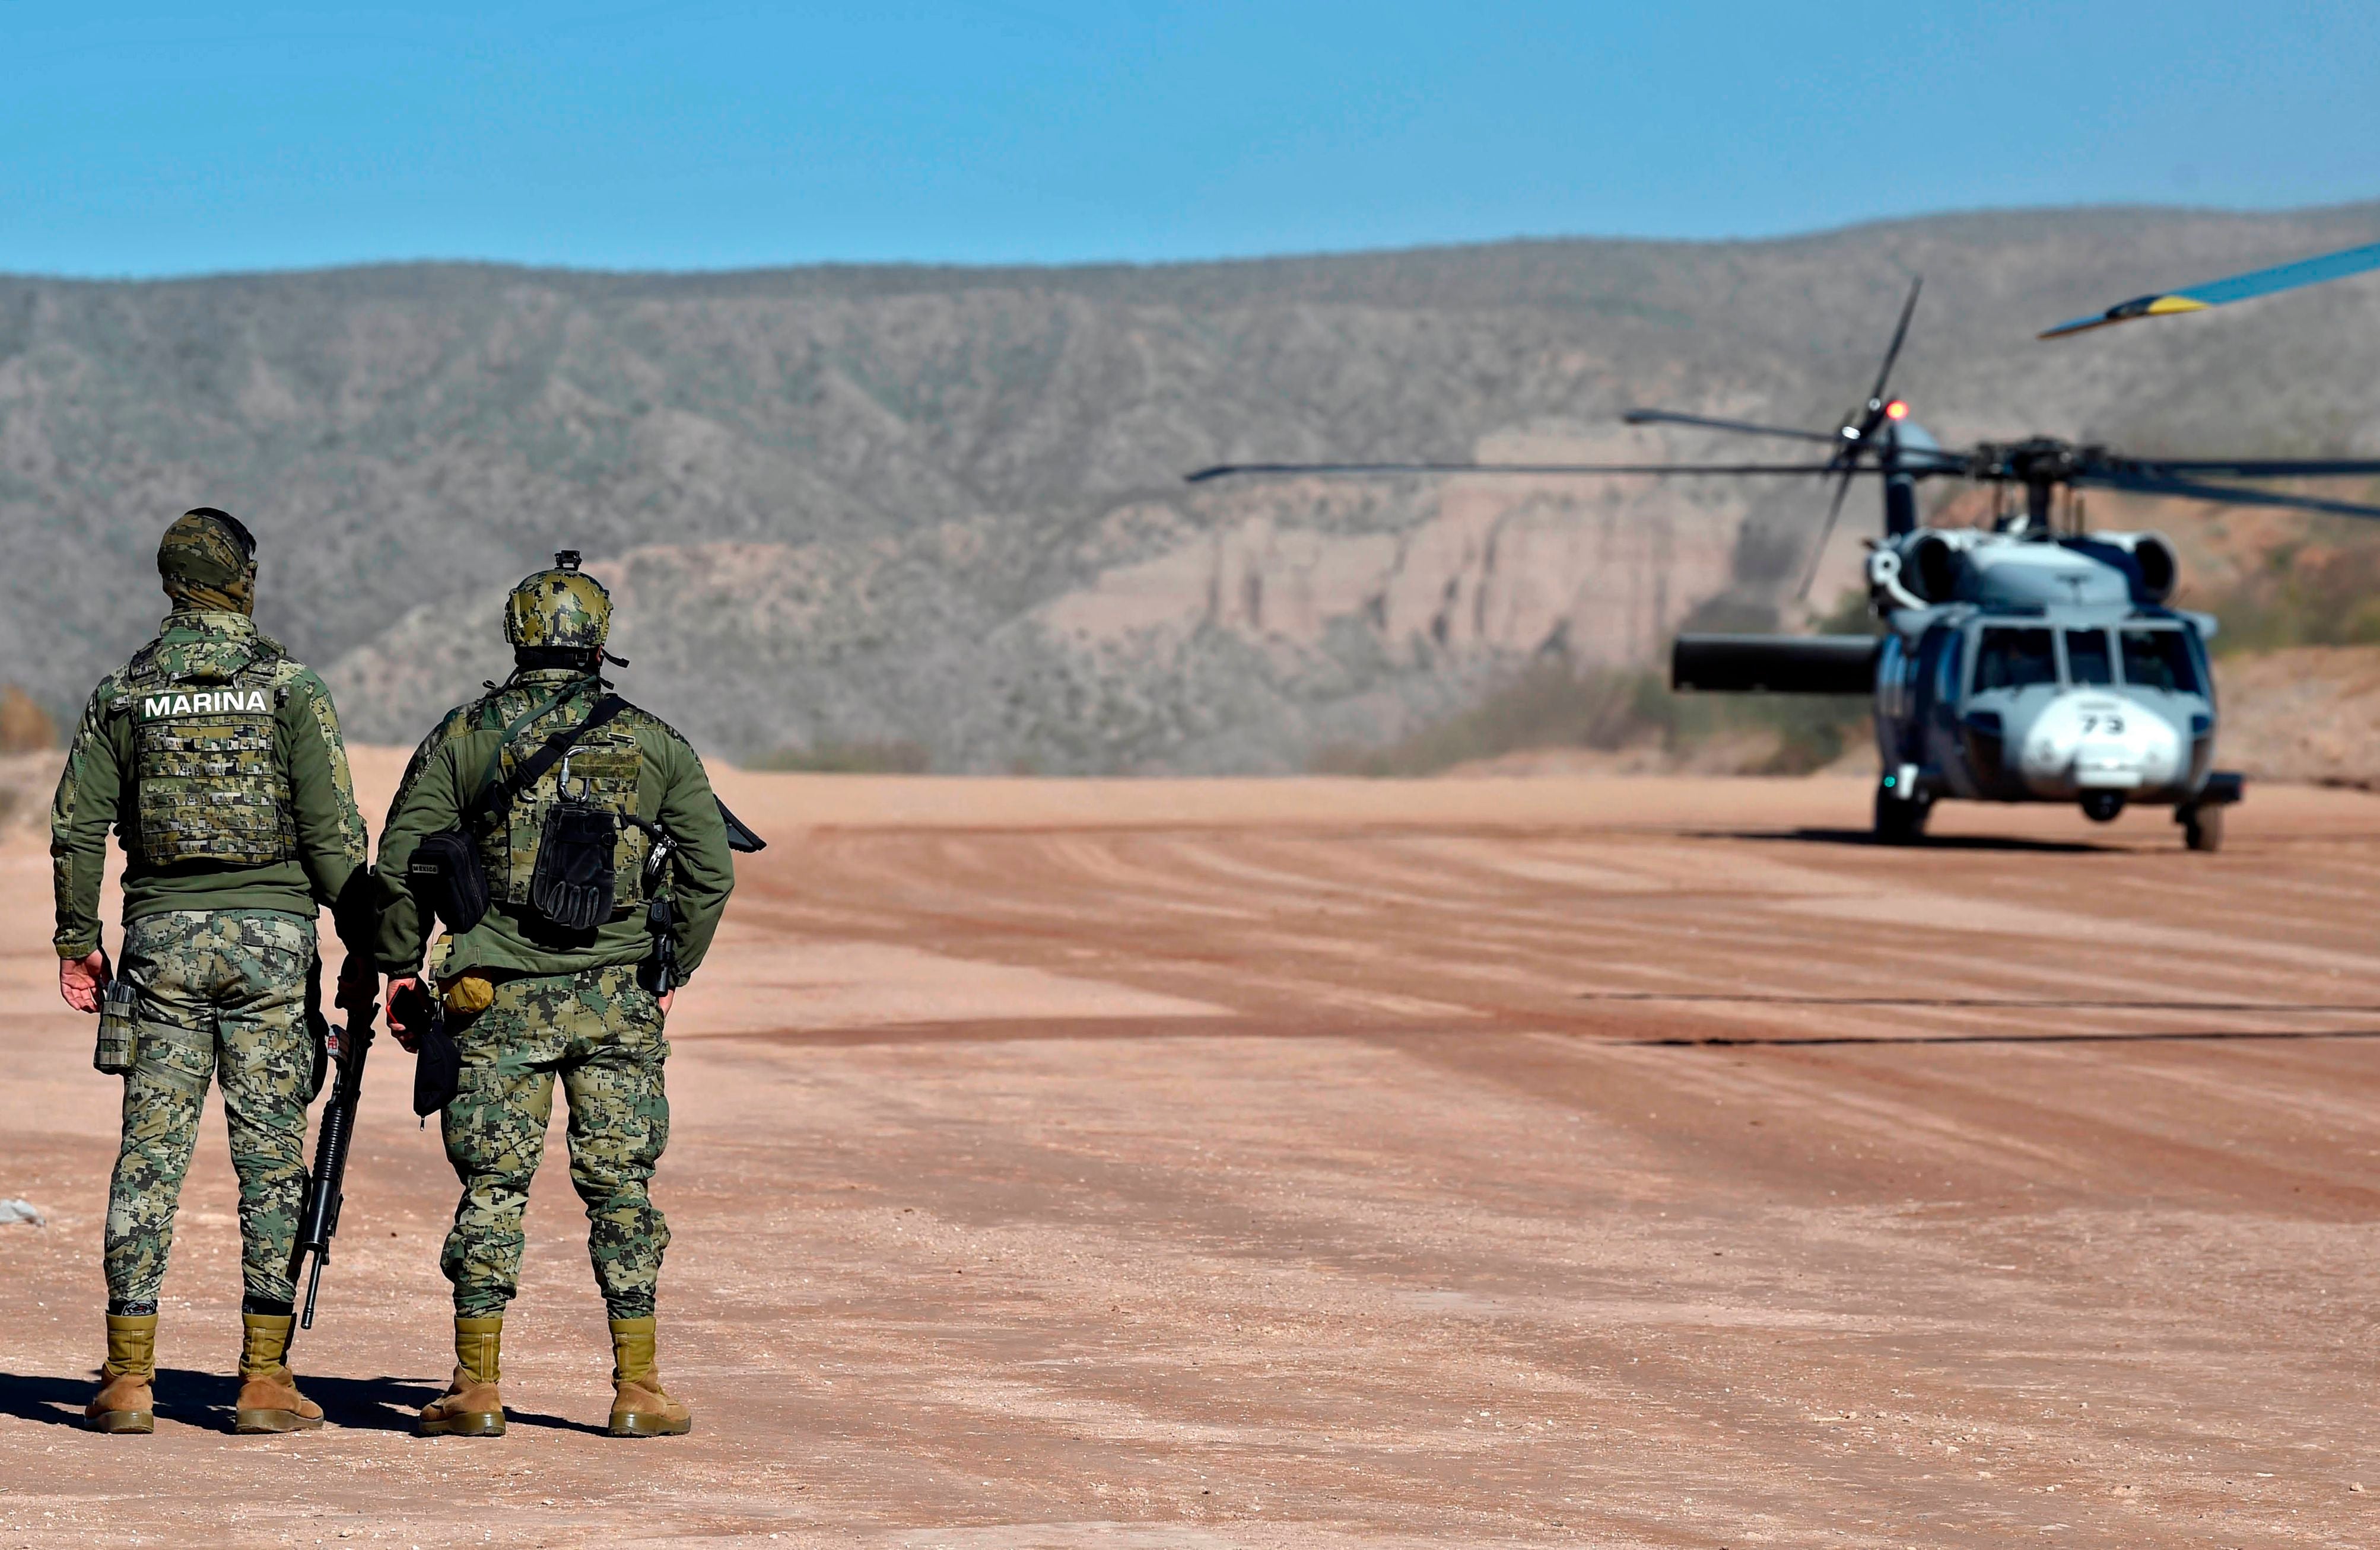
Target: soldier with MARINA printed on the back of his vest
(220, 765)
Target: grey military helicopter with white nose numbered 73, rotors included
(2022, 663)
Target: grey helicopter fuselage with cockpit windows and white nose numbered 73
(2046, 673)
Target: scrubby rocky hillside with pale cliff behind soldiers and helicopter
(941, 511)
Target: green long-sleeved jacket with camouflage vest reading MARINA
(218, 763)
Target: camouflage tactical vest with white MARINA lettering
(208, 780)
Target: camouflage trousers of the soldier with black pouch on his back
(601, 1035)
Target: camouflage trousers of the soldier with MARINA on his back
(223, 996)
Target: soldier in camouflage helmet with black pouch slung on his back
(532, 1001)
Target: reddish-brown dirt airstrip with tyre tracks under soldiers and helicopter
(1305, 1163)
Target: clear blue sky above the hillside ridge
(170, 139)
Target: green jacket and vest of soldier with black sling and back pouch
(637, 765)
